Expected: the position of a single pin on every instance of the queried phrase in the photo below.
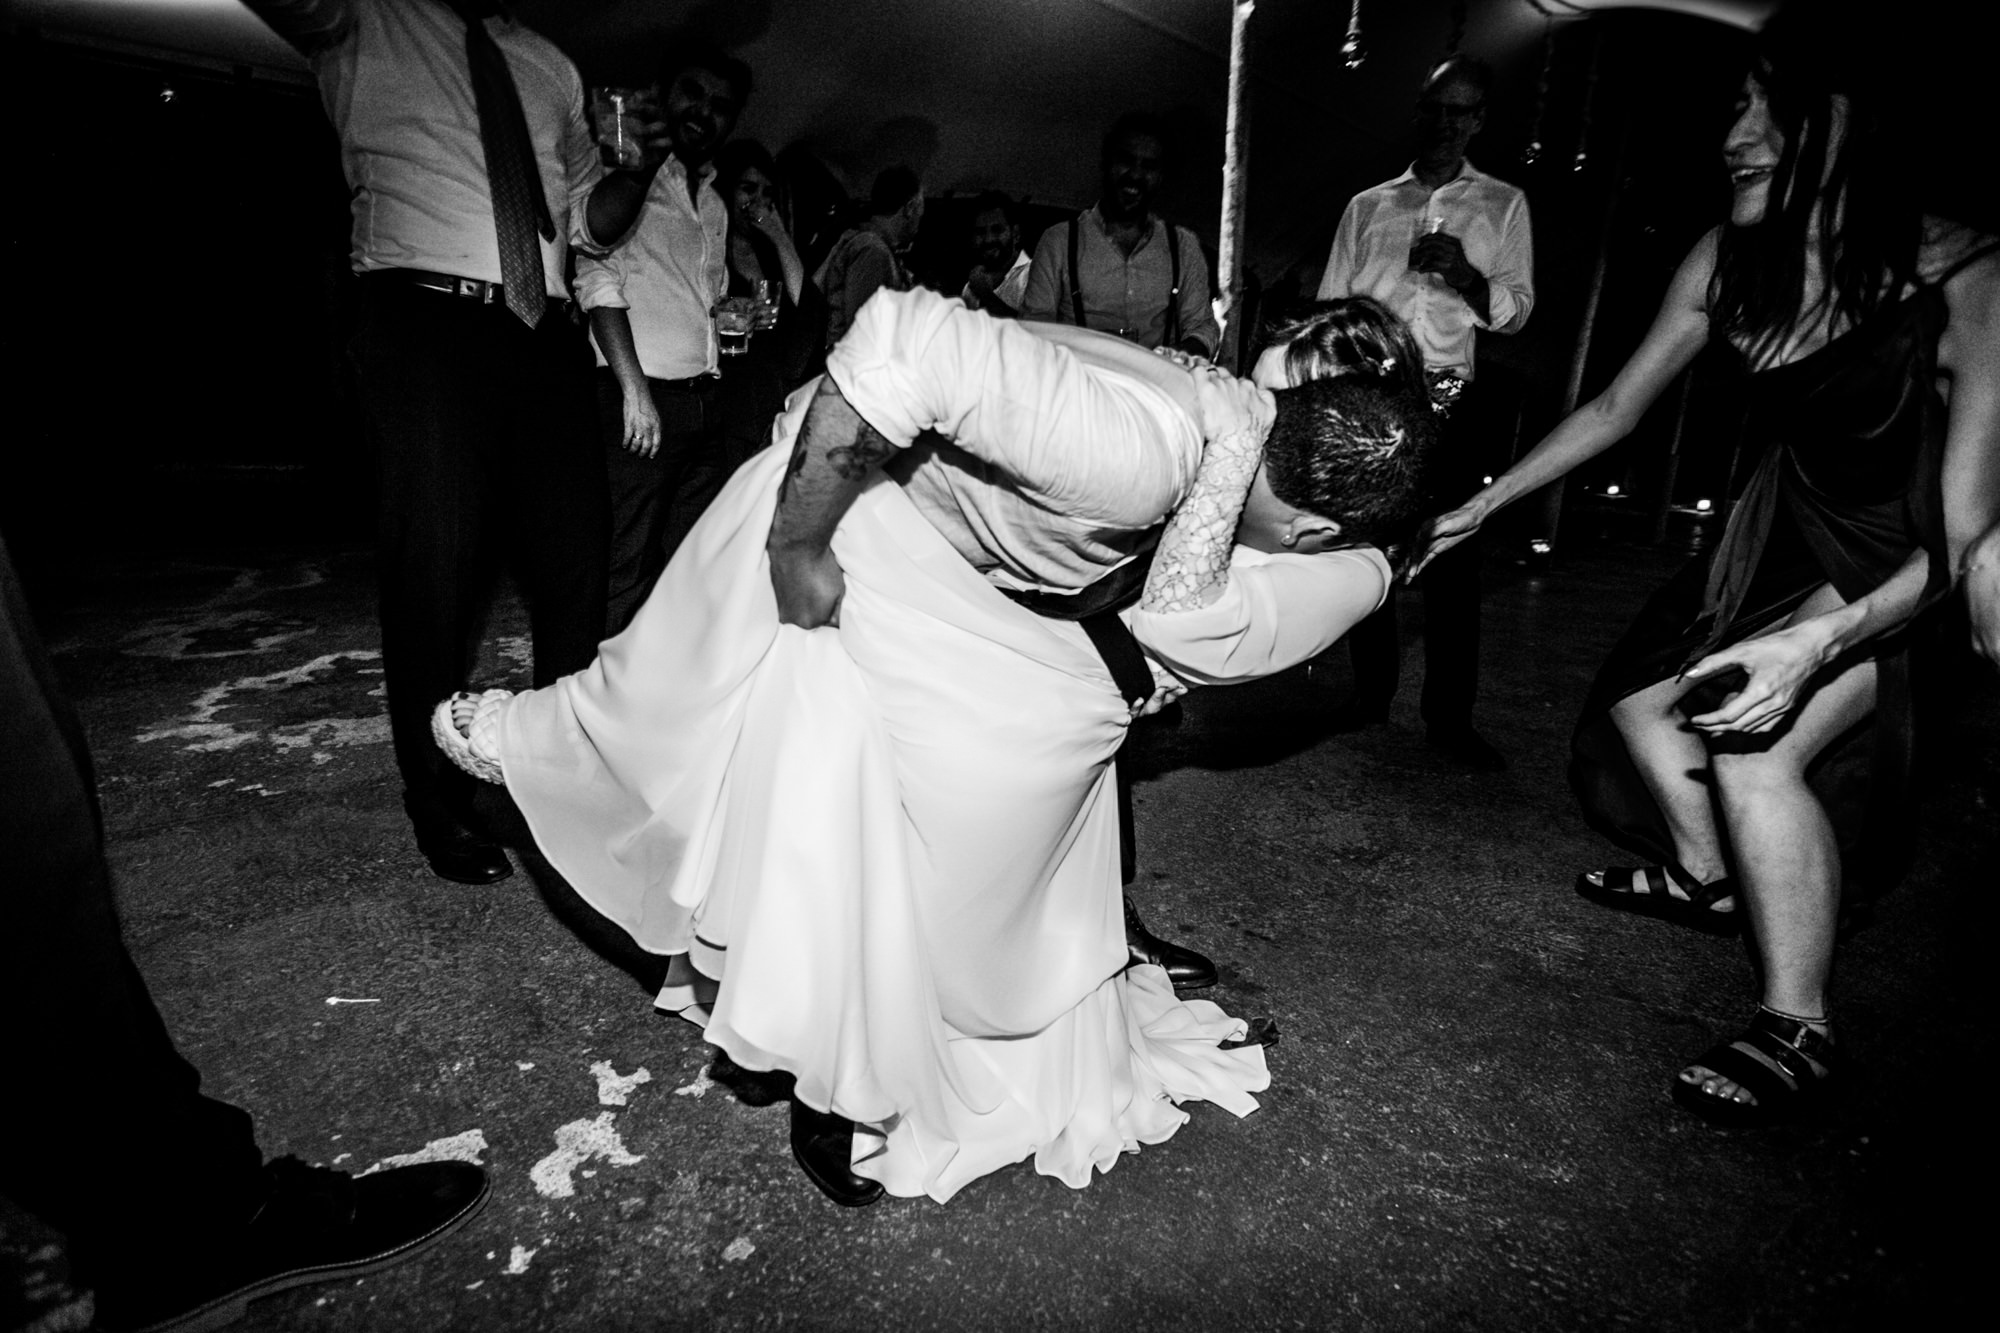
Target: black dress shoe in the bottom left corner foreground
(319, 1226)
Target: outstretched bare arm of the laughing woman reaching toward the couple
(1671, 345)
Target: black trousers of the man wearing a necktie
(485, 443)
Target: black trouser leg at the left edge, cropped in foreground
(103, 1128)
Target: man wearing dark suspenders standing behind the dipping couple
(1121, 267)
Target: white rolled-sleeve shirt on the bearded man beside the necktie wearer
(667, 277)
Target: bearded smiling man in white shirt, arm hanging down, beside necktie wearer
(651, 321)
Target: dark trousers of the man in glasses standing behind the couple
(1451, 601)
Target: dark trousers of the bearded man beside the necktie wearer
(655, 501)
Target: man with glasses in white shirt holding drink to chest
(1449, 249)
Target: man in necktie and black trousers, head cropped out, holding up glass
(473, 175)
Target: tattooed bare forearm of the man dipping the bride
(837, 455)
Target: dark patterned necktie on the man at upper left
(521, 209)
